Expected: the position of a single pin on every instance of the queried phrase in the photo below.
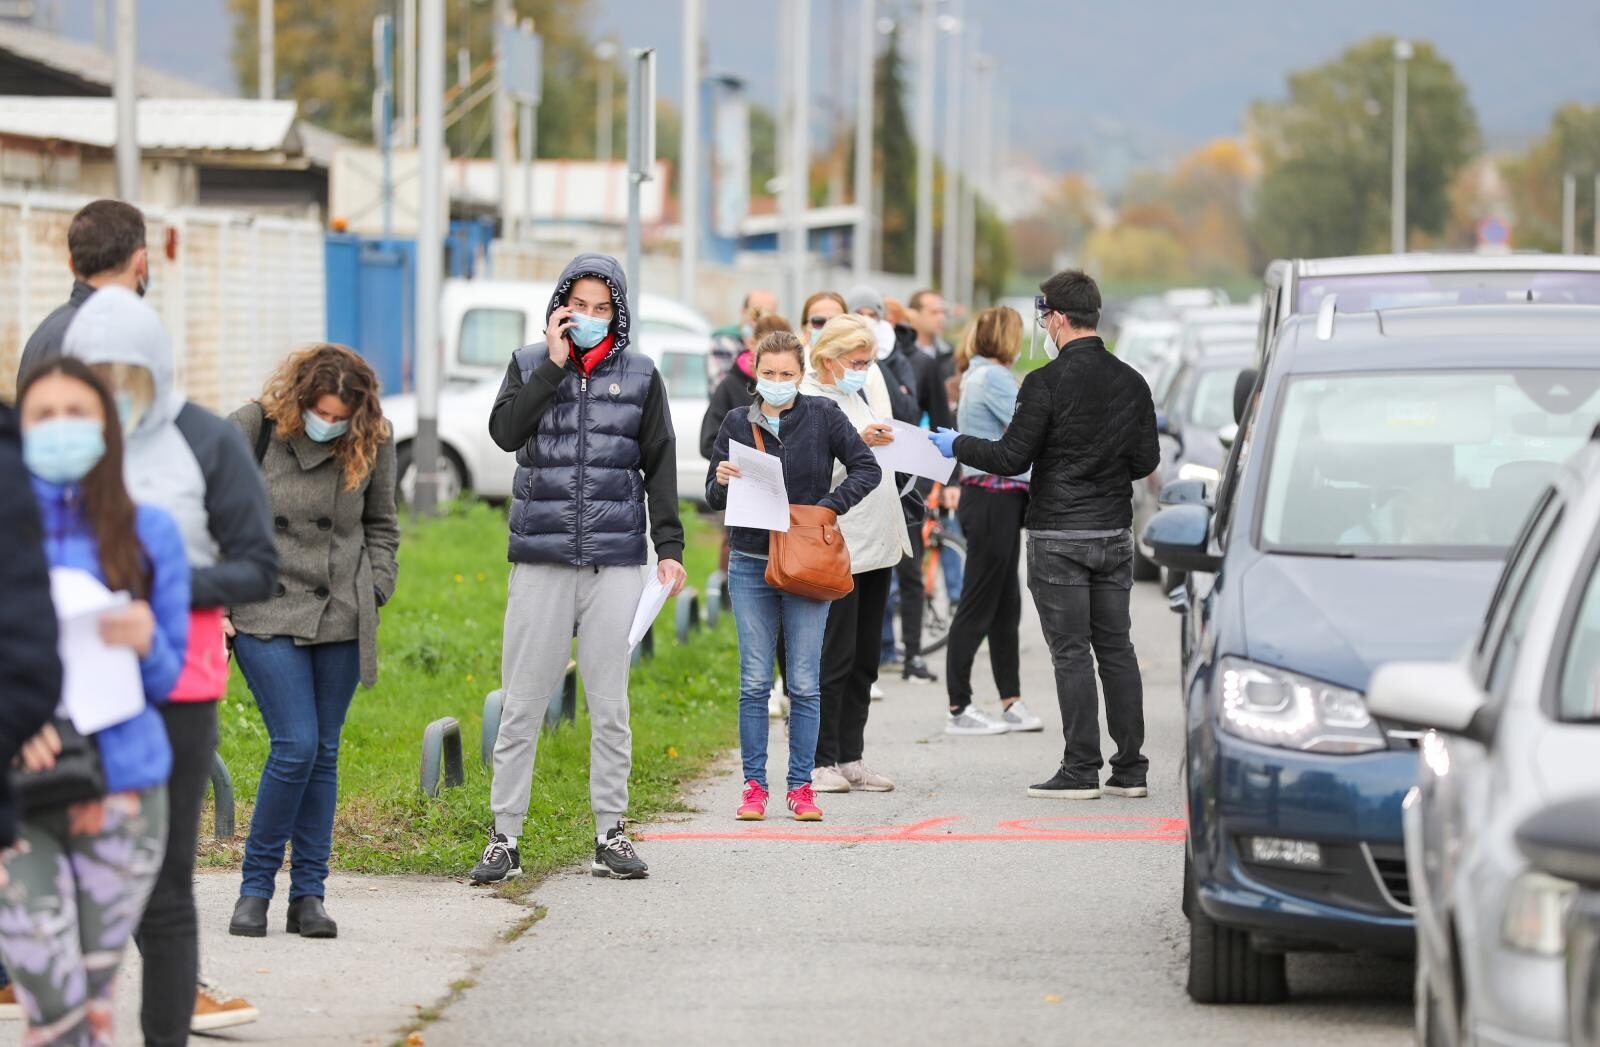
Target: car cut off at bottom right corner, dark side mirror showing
(1564, 843)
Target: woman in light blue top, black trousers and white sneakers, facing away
(991, 515)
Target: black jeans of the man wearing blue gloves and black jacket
(1081, 588)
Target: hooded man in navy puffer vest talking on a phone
(594, 441)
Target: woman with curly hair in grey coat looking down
(329, 460)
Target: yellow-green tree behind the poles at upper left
(326, 63)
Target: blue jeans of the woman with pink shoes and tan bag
(758, 612)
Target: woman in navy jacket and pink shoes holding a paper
(809, 435)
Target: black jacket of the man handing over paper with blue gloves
(1087, 427)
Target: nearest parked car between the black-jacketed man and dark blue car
(1196, 427)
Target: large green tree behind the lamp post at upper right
(1327, 151)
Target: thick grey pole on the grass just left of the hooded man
(430, 249)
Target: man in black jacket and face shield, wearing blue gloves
(1087, 427)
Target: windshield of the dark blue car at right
(1420, 465)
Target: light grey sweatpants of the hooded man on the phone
(545, 609)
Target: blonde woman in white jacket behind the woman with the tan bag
(842, 355)
